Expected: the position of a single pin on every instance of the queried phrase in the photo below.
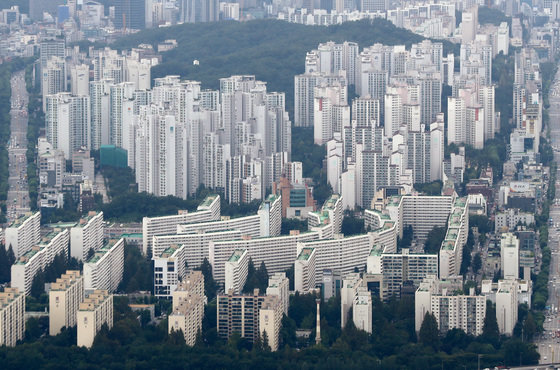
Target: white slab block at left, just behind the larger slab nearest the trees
(87, 235)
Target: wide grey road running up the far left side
(18, 193)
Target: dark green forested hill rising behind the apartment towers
(272, 50)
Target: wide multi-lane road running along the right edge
(549, 346)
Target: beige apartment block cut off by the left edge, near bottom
(12, 316)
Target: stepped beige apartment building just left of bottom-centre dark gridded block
(187, 317)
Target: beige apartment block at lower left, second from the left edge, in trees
(65, 296)
